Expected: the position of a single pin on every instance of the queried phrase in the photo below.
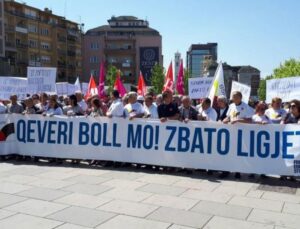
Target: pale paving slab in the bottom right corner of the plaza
(275, 218)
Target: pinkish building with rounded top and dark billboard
(128, 43)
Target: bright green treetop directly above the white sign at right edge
(290, 68)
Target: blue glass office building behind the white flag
(199, 57)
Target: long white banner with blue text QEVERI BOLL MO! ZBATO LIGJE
(249, 148)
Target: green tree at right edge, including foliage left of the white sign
(289, 68)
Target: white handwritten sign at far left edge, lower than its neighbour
(13, 85)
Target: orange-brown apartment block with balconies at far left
(35, 37)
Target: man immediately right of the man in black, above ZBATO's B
(186, 111)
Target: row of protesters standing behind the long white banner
(164, 107)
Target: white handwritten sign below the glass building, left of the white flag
(199, 87)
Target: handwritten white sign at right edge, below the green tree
(286, 88)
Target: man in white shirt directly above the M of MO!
(133, 109)
